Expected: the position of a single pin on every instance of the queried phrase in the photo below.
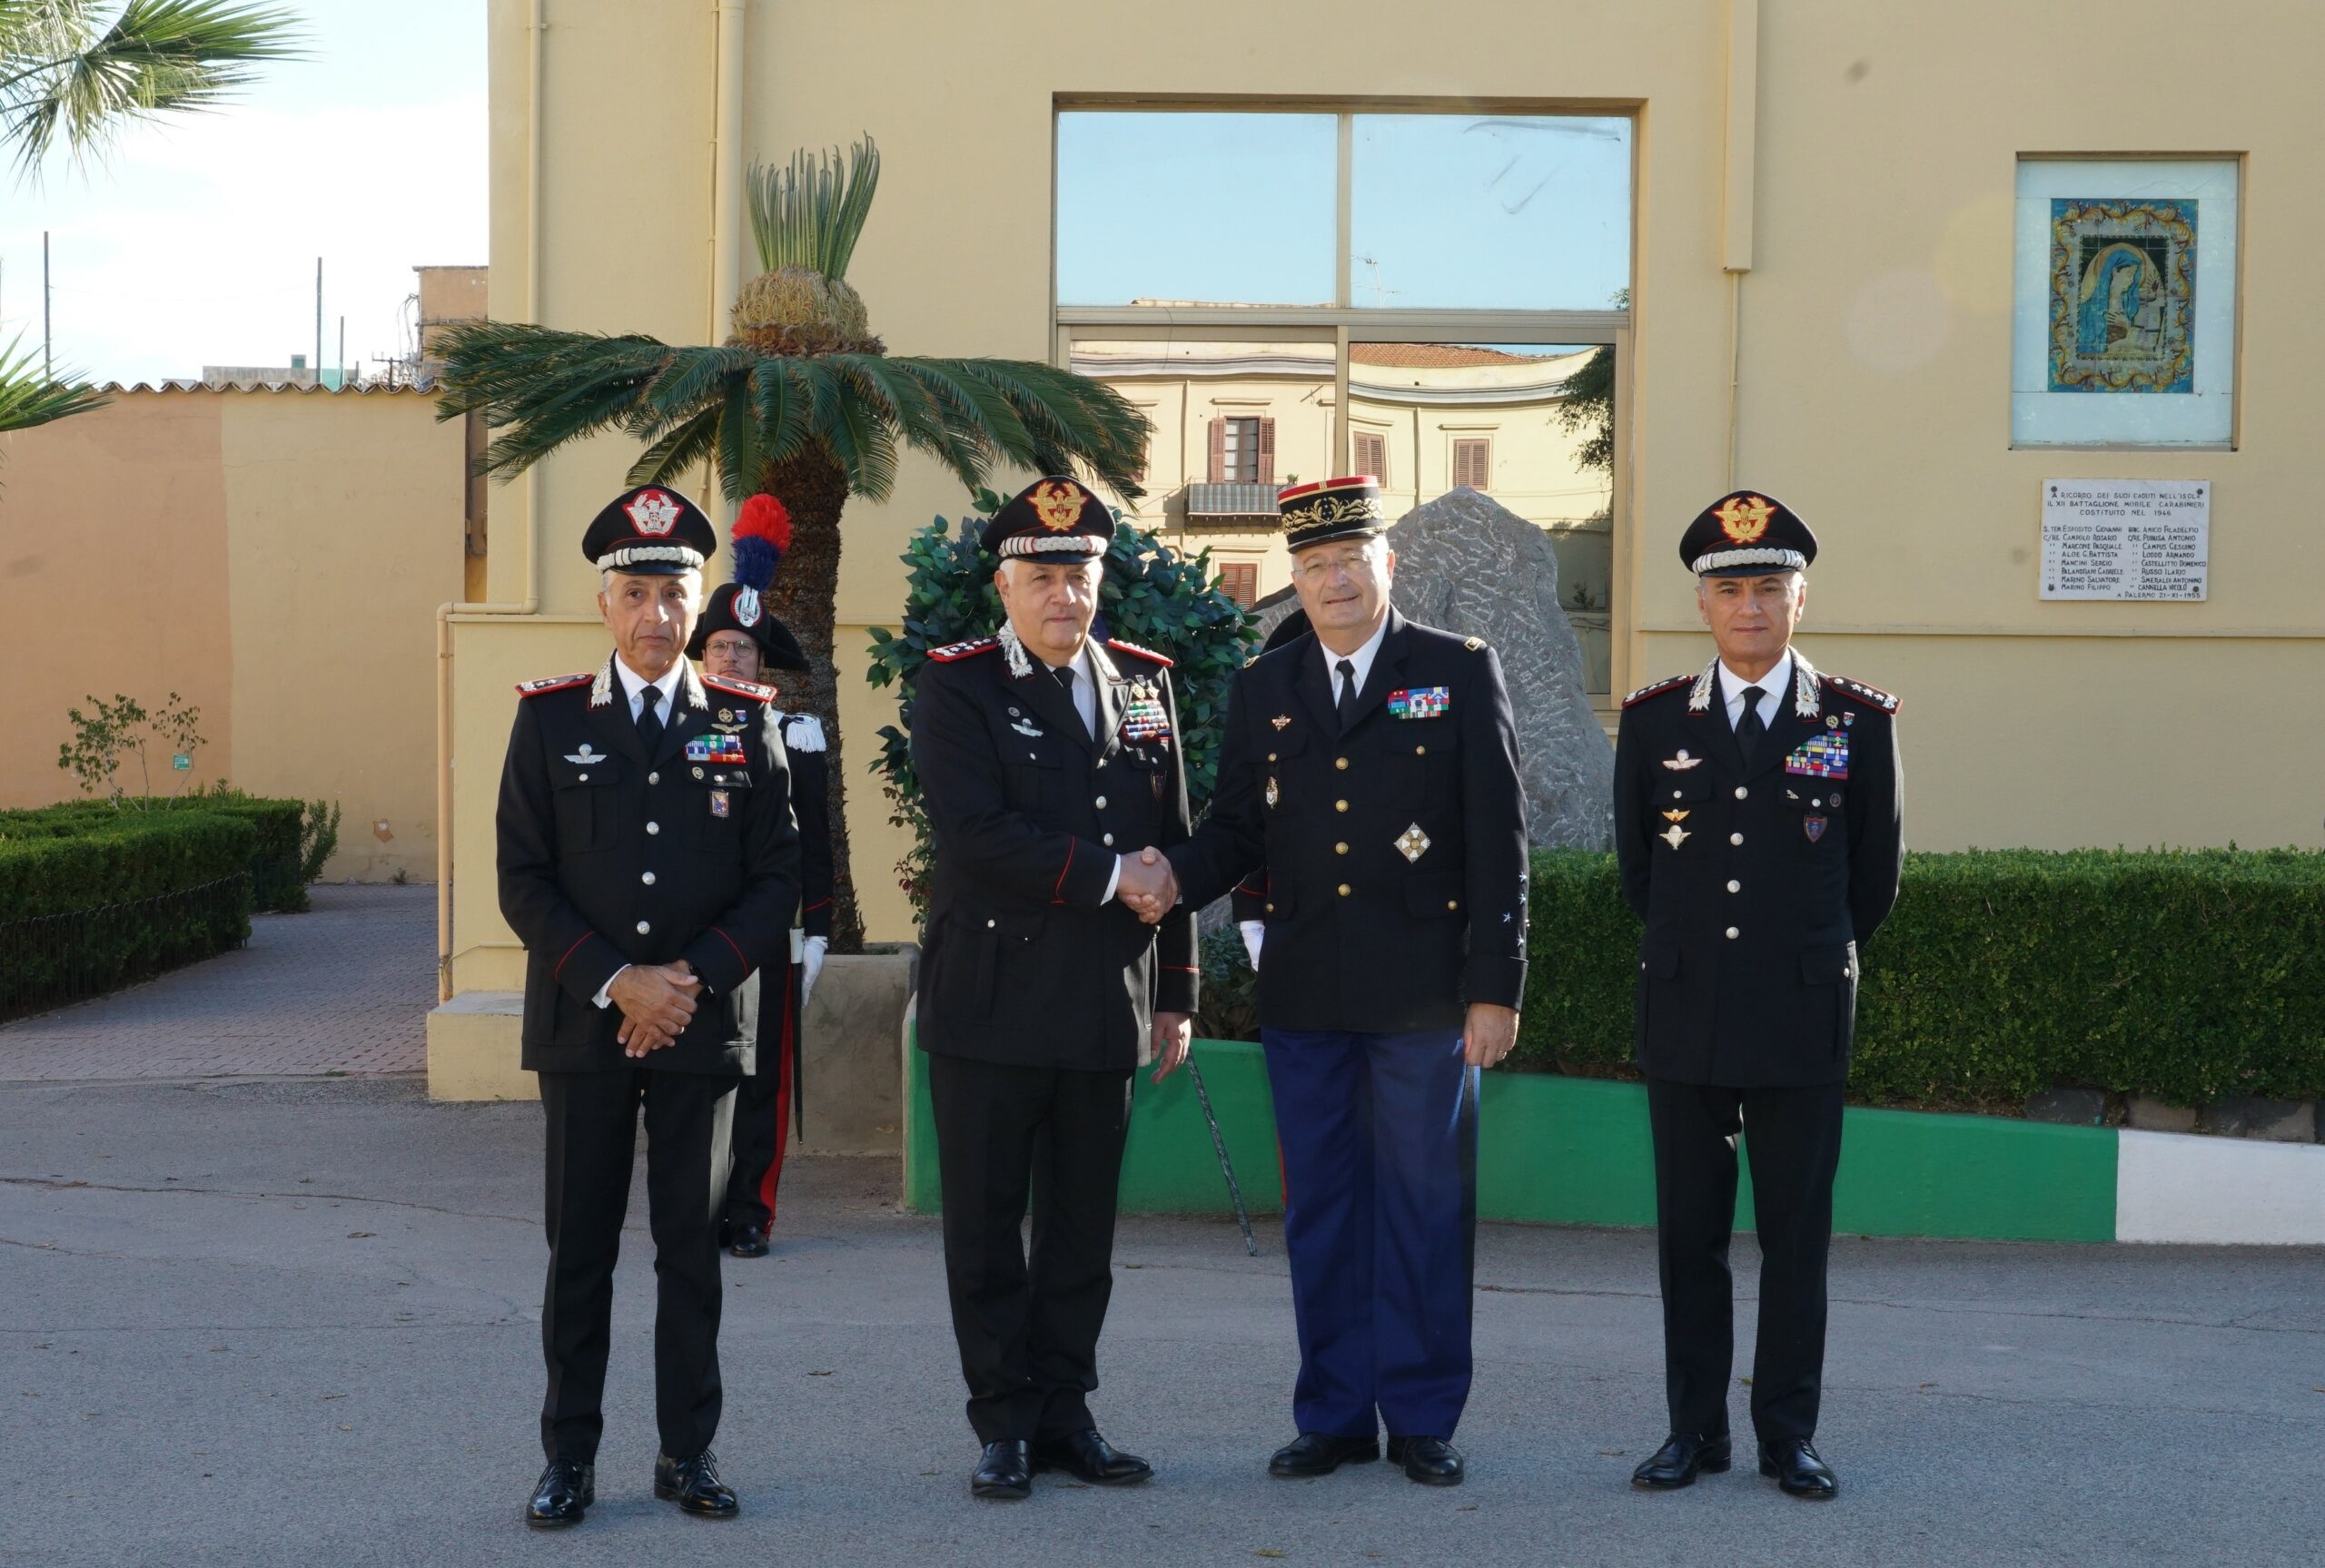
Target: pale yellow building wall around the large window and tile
(1887, 143)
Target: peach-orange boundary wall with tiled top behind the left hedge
(276, 559)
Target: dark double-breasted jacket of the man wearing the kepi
(1394, 856)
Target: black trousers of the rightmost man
(1794, 1142)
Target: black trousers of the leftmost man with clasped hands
(592, 1149)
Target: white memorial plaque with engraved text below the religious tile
(2126, 538)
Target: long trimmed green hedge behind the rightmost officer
(2005, 972)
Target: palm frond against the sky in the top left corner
(64, 82)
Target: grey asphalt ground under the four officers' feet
(299, 1323)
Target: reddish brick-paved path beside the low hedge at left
(343, 988)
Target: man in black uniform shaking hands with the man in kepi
(1045, 756)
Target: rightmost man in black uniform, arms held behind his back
(1757, 812)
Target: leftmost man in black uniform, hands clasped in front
(650, 865)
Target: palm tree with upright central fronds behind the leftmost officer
(801, 401)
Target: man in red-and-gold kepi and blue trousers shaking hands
(1371, 772)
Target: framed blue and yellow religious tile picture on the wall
(2124, 303)
